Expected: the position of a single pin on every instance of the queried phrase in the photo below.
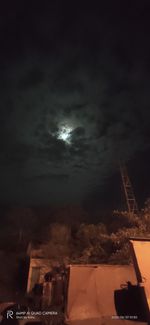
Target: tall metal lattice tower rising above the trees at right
(129, 193)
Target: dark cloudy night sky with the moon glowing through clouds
(75, 99)
